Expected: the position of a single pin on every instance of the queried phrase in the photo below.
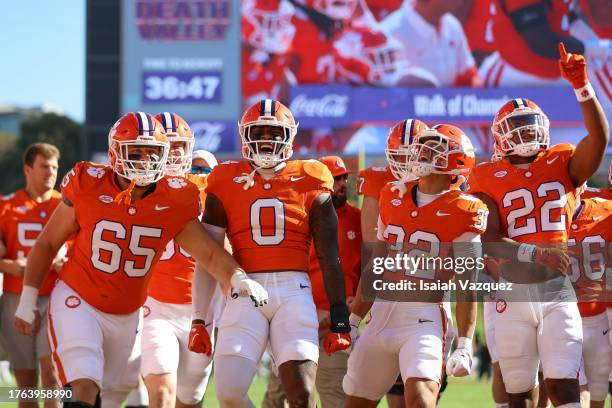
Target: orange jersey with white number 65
(117, 244)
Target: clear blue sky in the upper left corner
(43, 55)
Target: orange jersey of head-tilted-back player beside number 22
(428, 229)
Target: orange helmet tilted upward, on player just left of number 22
(442, 149)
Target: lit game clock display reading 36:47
(181, 87)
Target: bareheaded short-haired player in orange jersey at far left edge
(23, 215)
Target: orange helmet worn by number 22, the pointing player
(521, 128)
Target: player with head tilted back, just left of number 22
(407, 336)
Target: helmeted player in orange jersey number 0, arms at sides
(271, 209)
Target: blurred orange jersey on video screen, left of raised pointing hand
(511, 45)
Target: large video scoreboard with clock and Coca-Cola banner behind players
(349, 69)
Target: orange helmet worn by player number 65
(138, 148)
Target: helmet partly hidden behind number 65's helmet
(181, 141)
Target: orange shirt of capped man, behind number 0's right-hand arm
(349, 245)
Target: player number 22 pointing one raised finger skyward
(531, 197)
